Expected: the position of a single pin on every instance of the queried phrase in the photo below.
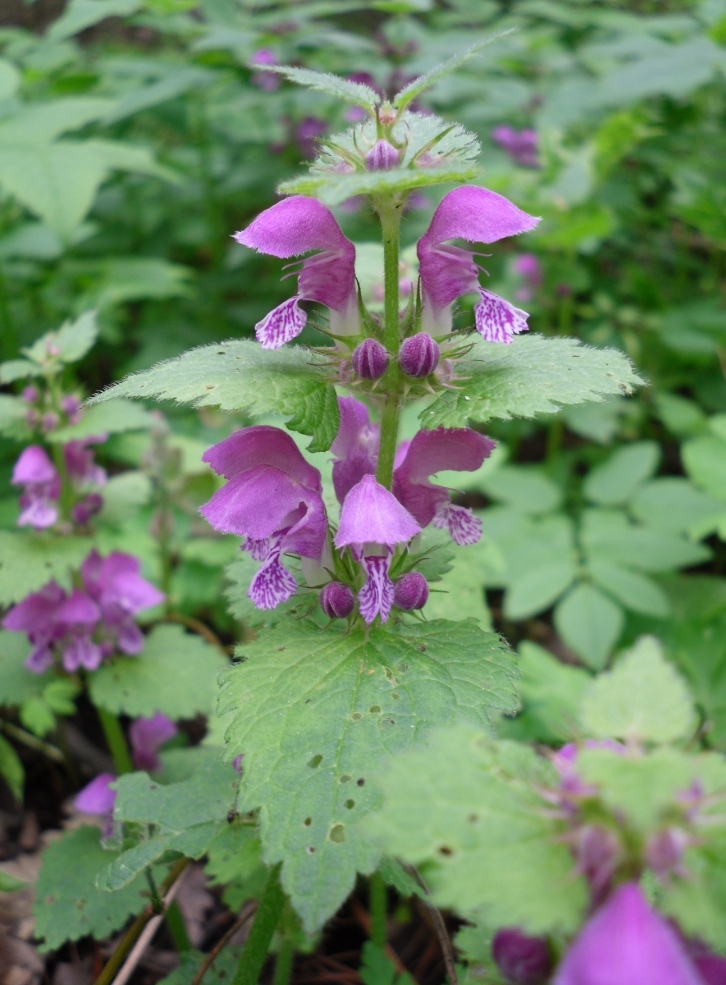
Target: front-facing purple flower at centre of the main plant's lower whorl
(372, 524)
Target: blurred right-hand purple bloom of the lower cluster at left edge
(116, 586)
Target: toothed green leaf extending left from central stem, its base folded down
(241, 375)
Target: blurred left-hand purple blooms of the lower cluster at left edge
(53, 620)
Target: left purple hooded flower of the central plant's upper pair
(294, 226)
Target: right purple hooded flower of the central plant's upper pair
(448, 272)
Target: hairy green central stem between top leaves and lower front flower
(390, 222)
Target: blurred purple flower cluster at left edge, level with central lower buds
(82, 627)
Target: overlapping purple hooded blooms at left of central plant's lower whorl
(273, 500)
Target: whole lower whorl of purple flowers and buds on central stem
(273, 500)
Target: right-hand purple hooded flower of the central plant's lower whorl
(443, 449)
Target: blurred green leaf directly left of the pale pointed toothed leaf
(550, 692)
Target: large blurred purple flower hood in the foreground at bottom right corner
(627, 943)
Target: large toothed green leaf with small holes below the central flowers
(315, 715)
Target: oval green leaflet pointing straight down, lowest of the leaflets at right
(590, 623)
